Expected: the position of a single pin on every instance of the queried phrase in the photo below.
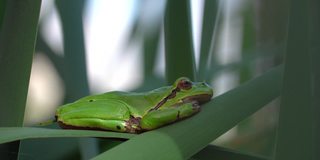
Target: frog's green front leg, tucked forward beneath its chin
(158, 118)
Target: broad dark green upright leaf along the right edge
(295, 132)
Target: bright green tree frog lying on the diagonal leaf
(135, 112)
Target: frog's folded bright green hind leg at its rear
(111, 114)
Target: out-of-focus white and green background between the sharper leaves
(123, 49)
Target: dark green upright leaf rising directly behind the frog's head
(179, 51)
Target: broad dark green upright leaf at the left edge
(17, 43)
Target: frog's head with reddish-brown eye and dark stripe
(185, 90)
